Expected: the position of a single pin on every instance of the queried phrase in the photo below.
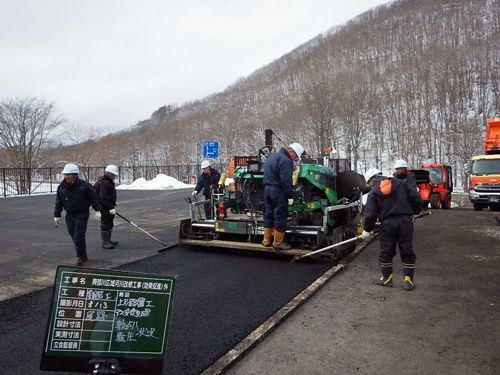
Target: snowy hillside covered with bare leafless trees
(411, 79)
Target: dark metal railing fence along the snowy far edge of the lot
(27, 181)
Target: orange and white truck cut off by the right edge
(484, 183)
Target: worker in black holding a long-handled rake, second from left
(105, 188)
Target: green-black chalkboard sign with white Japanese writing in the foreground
(108, 314)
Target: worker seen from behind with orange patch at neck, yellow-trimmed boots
(394, 202)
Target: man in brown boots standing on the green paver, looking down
(278, 194)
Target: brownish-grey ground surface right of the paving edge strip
(448, 325)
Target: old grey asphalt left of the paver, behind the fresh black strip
(30, 245)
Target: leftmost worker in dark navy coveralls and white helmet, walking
(76, 196)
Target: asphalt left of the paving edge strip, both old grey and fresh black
(220, 297)
